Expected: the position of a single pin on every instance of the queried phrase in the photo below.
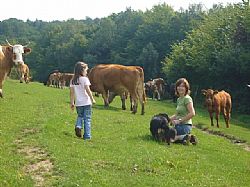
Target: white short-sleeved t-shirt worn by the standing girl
(81, 96)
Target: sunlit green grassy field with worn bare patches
(38, 146)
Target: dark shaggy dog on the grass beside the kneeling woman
(160, 129)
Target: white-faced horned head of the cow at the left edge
(18, 51)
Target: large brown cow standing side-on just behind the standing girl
(119, 79)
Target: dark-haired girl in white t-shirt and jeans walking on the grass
(81, 97)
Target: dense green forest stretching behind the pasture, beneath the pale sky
(209, 47)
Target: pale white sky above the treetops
(50, 10)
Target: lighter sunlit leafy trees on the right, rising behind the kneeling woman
(217, 54)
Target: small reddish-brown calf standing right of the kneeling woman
(217, 102)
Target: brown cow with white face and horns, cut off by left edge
(10, 55)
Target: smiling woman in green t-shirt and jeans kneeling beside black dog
(182, 119)
